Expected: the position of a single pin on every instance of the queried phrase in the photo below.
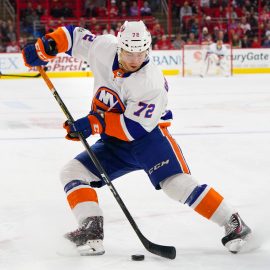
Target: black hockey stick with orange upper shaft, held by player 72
(163, 251)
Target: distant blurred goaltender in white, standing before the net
(216, 58)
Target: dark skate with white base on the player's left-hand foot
(89, 237)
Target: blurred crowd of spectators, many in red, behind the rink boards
(239, 22)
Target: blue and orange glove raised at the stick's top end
(40, 53)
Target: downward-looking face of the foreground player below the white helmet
(132, 61)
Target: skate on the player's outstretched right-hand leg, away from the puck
(236, 234)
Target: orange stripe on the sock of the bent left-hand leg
(82, 195)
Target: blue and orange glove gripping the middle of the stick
(88, 125)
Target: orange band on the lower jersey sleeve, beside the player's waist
(113, 126)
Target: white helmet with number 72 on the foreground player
(134, 37)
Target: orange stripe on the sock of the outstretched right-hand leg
(209, 204)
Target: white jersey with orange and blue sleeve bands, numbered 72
(133, 102)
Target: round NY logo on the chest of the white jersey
(106, 100)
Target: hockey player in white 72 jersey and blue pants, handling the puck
(129, 102)
